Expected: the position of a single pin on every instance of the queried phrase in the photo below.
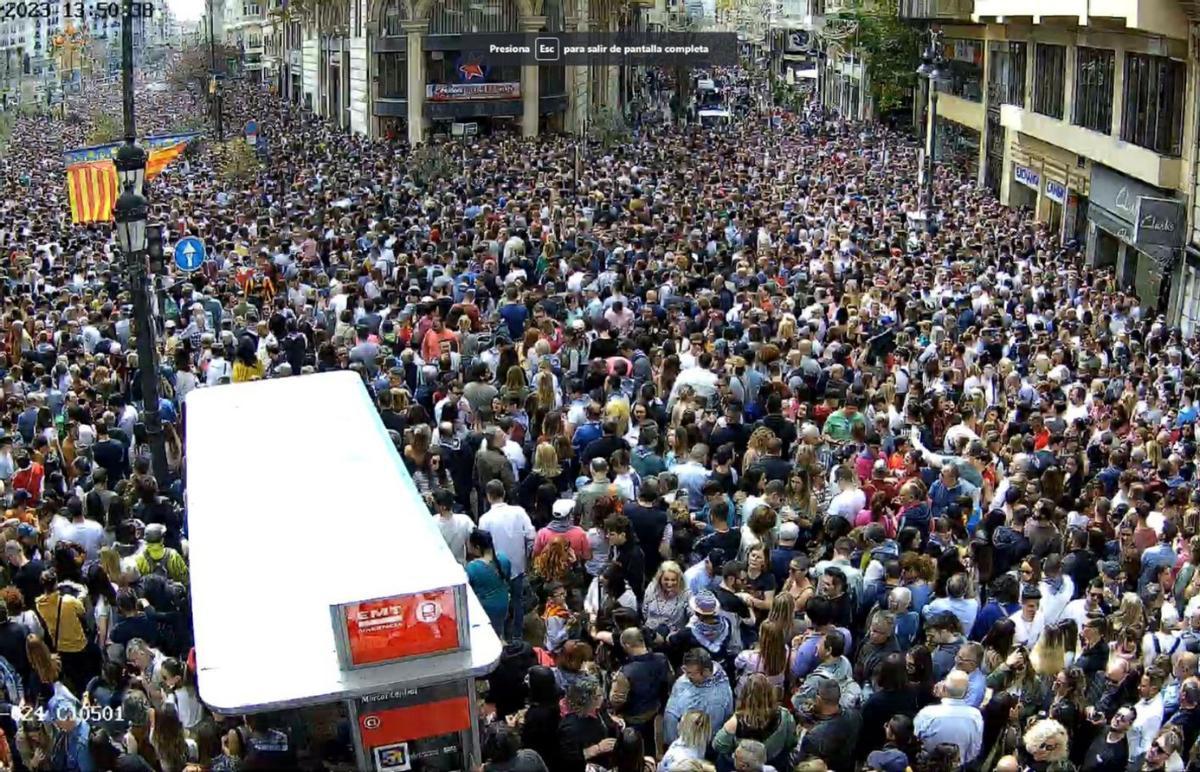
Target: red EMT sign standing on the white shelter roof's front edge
(389, 630)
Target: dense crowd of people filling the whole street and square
(751, 469)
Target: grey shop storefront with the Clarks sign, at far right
(1142, 228)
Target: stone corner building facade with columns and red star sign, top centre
(398, 68)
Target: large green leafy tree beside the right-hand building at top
(892, 50)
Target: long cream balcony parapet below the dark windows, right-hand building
(1129, 159)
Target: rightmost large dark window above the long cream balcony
(1154, 104)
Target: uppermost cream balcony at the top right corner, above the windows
(1159, 17)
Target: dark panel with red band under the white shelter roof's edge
(416, 731)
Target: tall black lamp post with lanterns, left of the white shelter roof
(130, 217)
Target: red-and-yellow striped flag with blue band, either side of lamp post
(92, 175)
